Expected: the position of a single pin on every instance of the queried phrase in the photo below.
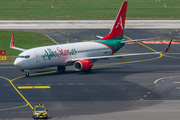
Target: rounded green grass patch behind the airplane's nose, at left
(22, 39)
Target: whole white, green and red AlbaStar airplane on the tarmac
(81, 55)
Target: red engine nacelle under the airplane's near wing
(82, 65)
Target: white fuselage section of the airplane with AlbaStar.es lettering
(59, 55)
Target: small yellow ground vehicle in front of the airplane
(40, 111)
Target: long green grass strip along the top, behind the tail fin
(87, 9)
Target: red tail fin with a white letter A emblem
(118, 28)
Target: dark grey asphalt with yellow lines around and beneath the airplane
(138, 87)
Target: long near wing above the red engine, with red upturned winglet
(121, 56)
